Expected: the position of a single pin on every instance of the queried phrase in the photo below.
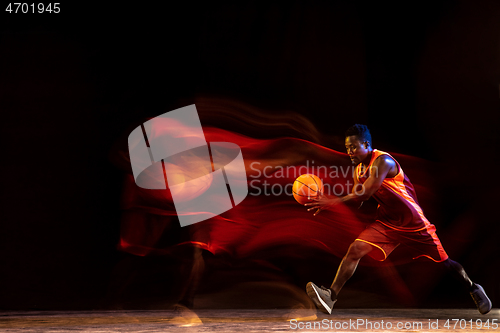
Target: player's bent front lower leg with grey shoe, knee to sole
(325, 298)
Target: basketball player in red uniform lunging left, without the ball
(399, 220)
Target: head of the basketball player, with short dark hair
(358, 142)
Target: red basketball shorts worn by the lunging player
(423, 243)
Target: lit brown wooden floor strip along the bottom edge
(277, 320)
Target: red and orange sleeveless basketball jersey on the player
(398, 206)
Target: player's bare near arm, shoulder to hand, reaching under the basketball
(361, 192)
